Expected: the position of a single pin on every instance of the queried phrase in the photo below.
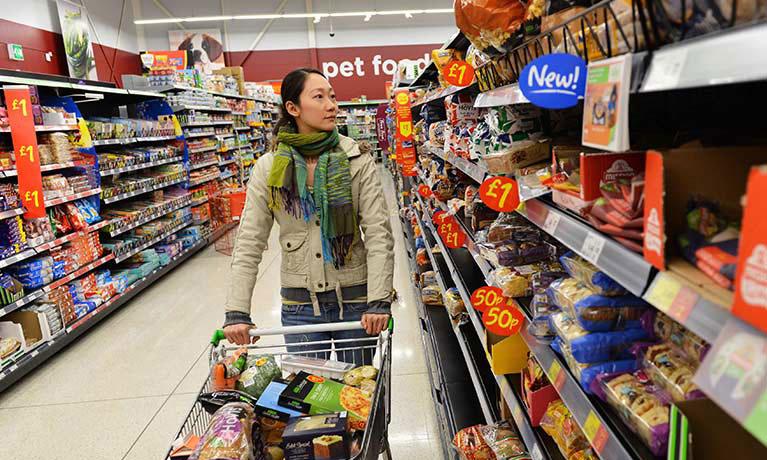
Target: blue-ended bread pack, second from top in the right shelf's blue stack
(594, 312)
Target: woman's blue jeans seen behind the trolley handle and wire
(303, 314)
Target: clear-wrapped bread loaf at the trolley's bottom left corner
(228, 435)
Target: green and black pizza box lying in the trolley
(312, 394)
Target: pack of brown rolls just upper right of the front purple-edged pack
(670, 371)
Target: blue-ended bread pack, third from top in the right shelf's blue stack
(594, 347)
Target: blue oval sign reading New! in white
(554, 81)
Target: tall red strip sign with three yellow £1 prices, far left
(25, 147)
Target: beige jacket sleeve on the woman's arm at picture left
(252, 236)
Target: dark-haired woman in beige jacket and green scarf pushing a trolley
(324, 195)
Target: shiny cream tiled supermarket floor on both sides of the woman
(123, 390)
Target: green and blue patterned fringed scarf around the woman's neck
(332, 195)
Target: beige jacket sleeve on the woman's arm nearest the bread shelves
(379, 242)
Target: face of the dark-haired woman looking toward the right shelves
(317, 107)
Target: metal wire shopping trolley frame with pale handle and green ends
(375, 439)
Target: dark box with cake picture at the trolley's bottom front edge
(316, 437)
